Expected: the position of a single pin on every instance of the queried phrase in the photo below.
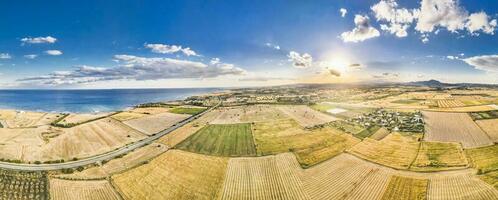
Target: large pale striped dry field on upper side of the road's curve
(89, 139)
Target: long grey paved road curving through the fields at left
(106, 156)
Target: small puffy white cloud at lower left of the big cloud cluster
(362, 31)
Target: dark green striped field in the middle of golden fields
(221, 140)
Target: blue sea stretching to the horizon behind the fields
(91, 101)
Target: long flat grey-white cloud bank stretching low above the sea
(137, 68)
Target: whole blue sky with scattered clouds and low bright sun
(112, 44)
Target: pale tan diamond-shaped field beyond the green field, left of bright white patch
(306, 116)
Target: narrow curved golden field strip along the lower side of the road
(117, 165)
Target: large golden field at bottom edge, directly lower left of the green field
(174, 175)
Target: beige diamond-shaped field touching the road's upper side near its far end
(153, 124)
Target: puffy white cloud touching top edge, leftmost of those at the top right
(398, 19)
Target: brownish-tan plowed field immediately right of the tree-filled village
(454, 127)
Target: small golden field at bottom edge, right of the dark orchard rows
(82, 190)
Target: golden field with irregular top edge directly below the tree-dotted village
(395, 150)
